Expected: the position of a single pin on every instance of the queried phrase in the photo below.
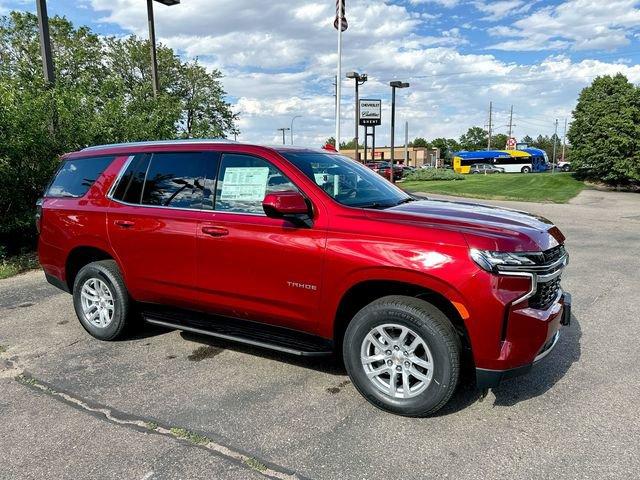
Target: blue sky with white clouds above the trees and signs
(279, 57)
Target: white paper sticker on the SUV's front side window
(248, 184)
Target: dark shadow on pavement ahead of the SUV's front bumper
(547, 373)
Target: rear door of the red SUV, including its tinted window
(153, 220)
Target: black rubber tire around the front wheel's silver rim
(435, 330)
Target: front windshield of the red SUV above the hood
(347, 181)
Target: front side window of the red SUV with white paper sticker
(245, 180)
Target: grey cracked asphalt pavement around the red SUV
(166, 404)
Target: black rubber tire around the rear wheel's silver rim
(108, 272)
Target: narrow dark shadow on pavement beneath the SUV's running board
(330, 364)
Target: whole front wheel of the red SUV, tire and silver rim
(403, 355)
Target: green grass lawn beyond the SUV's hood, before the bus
(532, 187)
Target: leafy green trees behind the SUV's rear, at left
(102, 94)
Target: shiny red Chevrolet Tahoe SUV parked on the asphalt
(306, 252)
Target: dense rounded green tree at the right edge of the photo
(605, 133)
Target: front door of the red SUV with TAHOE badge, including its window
(251, 266)
